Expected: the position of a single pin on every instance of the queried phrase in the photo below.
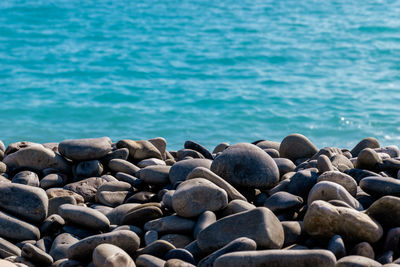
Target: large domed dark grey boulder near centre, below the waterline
(246, 165)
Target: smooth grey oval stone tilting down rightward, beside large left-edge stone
(84, 216)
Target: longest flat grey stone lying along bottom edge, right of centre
(274, 257)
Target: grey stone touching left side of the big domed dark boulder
(180, 170)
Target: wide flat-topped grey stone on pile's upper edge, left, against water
(85, 149)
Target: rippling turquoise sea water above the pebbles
(210, 71)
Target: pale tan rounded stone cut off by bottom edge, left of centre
(107, 255)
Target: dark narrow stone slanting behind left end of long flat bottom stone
(239, 244)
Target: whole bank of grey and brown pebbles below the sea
(92, 202)
